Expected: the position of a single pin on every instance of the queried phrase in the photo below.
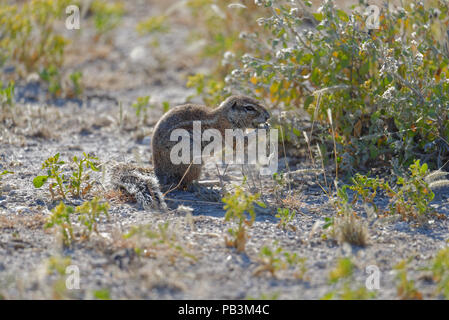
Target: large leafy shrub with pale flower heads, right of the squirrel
(386, 88)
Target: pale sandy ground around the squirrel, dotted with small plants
(121, 71)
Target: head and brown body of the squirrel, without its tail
(236, 112)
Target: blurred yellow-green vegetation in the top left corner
(32, 40)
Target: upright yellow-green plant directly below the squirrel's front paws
(237, 205)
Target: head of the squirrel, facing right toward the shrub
(245, 112)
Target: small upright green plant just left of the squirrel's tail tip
(80, 175)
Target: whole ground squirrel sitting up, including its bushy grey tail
(236, 112)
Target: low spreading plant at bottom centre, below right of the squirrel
(276, 259)
